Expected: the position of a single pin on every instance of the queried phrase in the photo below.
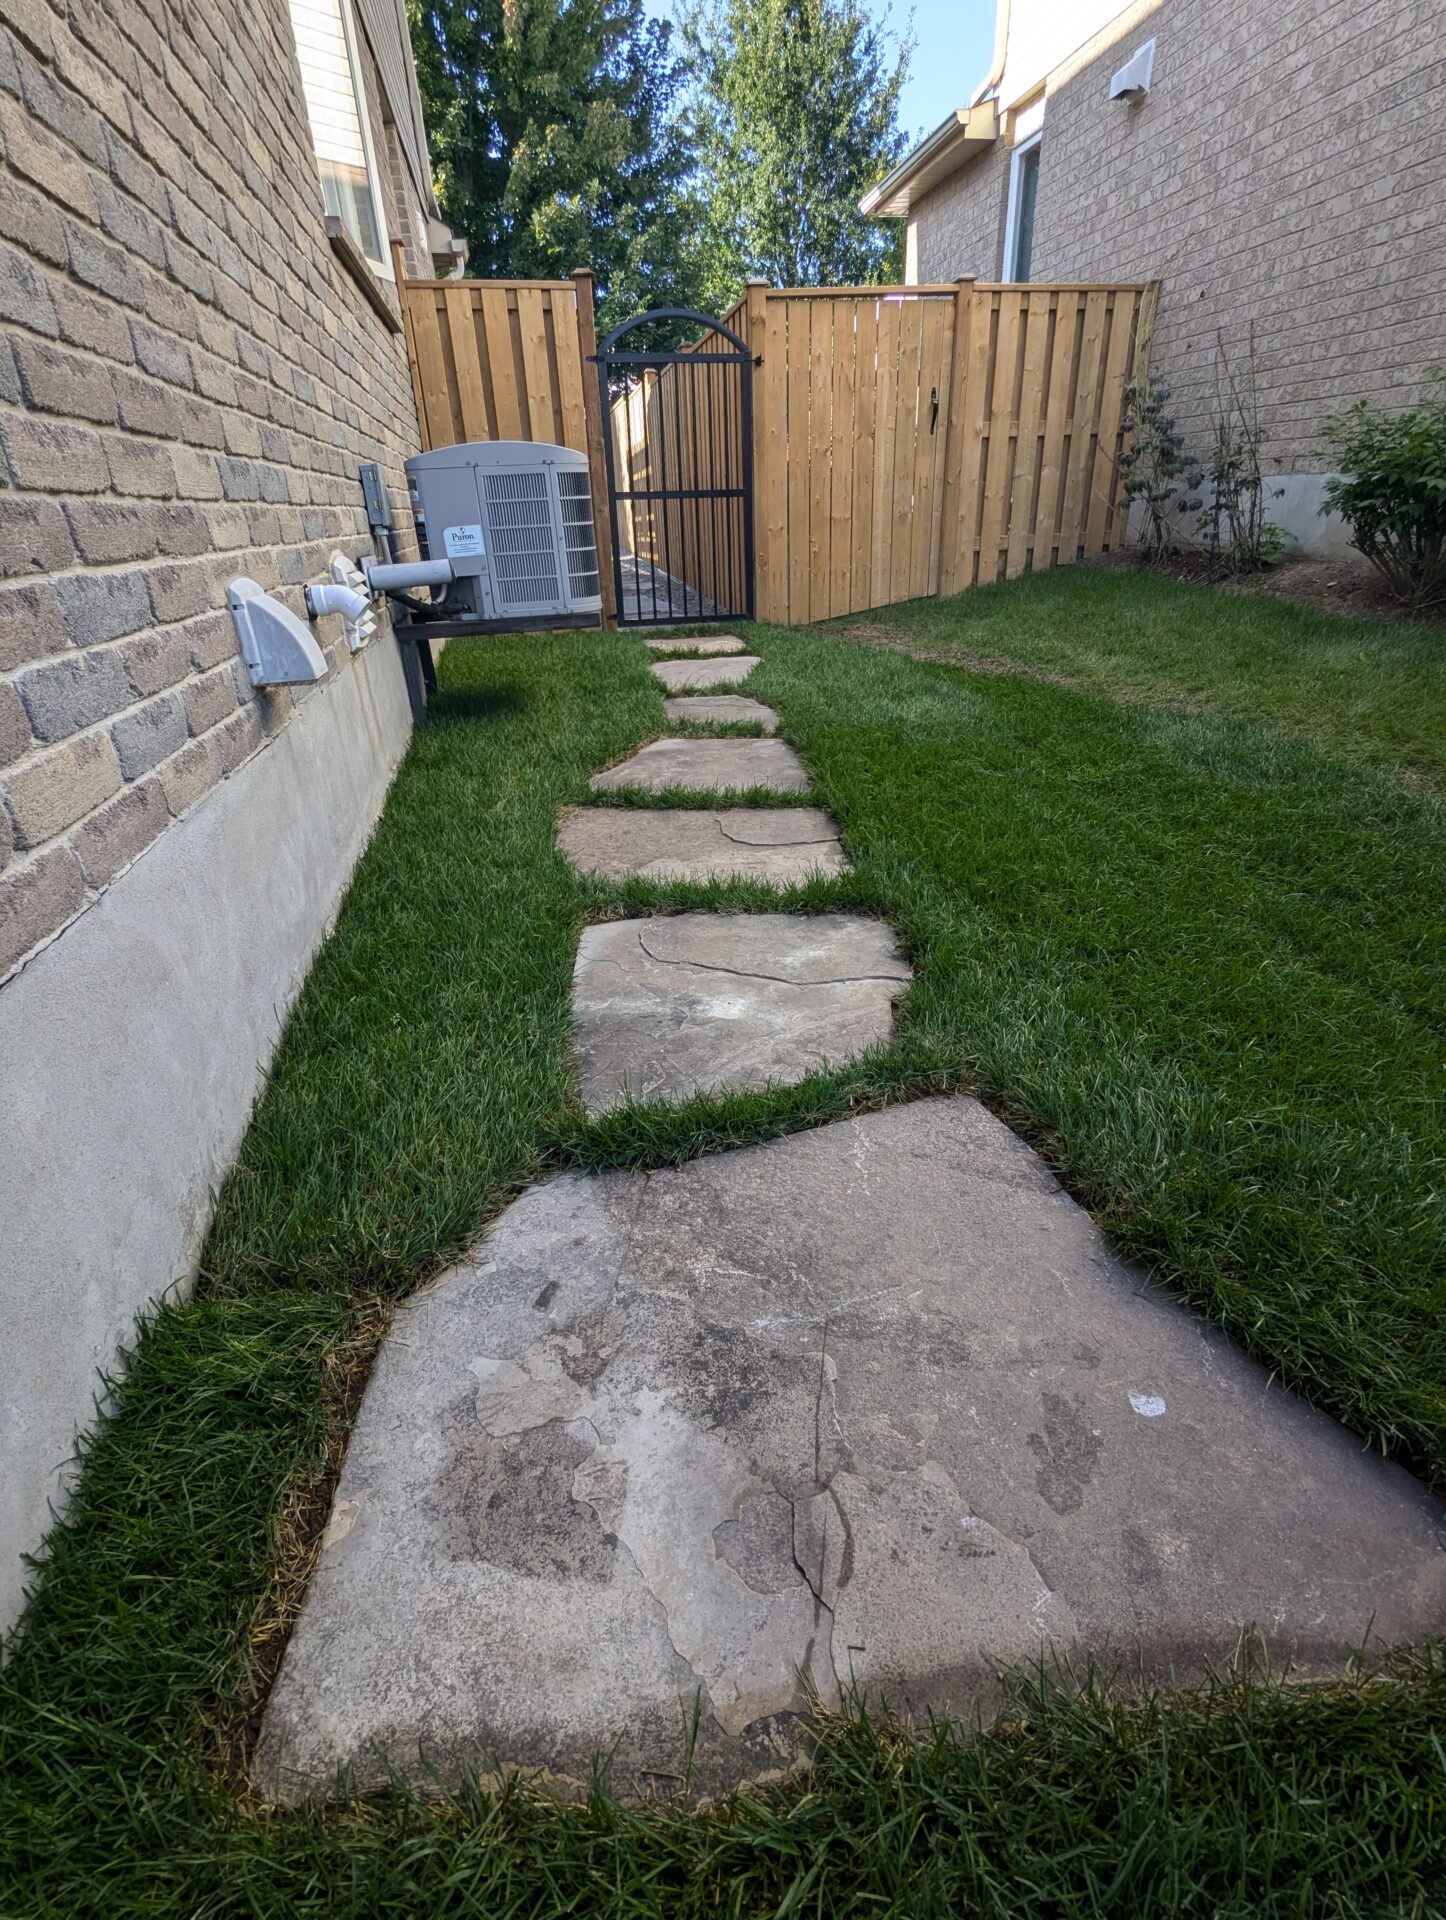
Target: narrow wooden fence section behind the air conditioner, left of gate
(510, 360)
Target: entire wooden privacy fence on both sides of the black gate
(907, 441)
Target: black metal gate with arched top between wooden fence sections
(679, 439)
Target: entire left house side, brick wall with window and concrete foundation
(203, 204)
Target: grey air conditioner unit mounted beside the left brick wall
(514, 521)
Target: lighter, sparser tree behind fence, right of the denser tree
(794, 116)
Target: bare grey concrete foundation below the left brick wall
(133, 1051)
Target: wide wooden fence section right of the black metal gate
(923, 441)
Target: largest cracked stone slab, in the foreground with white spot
(871, 1404)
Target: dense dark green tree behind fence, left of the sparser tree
(556, 143)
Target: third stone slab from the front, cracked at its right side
(777, 844)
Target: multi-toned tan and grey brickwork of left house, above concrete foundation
(189, 383)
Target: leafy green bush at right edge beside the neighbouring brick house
(1393, 491)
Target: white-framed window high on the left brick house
(341, 133)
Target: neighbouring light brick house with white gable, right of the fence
(1282, 166)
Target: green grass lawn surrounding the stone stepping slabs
(1178, 921)
